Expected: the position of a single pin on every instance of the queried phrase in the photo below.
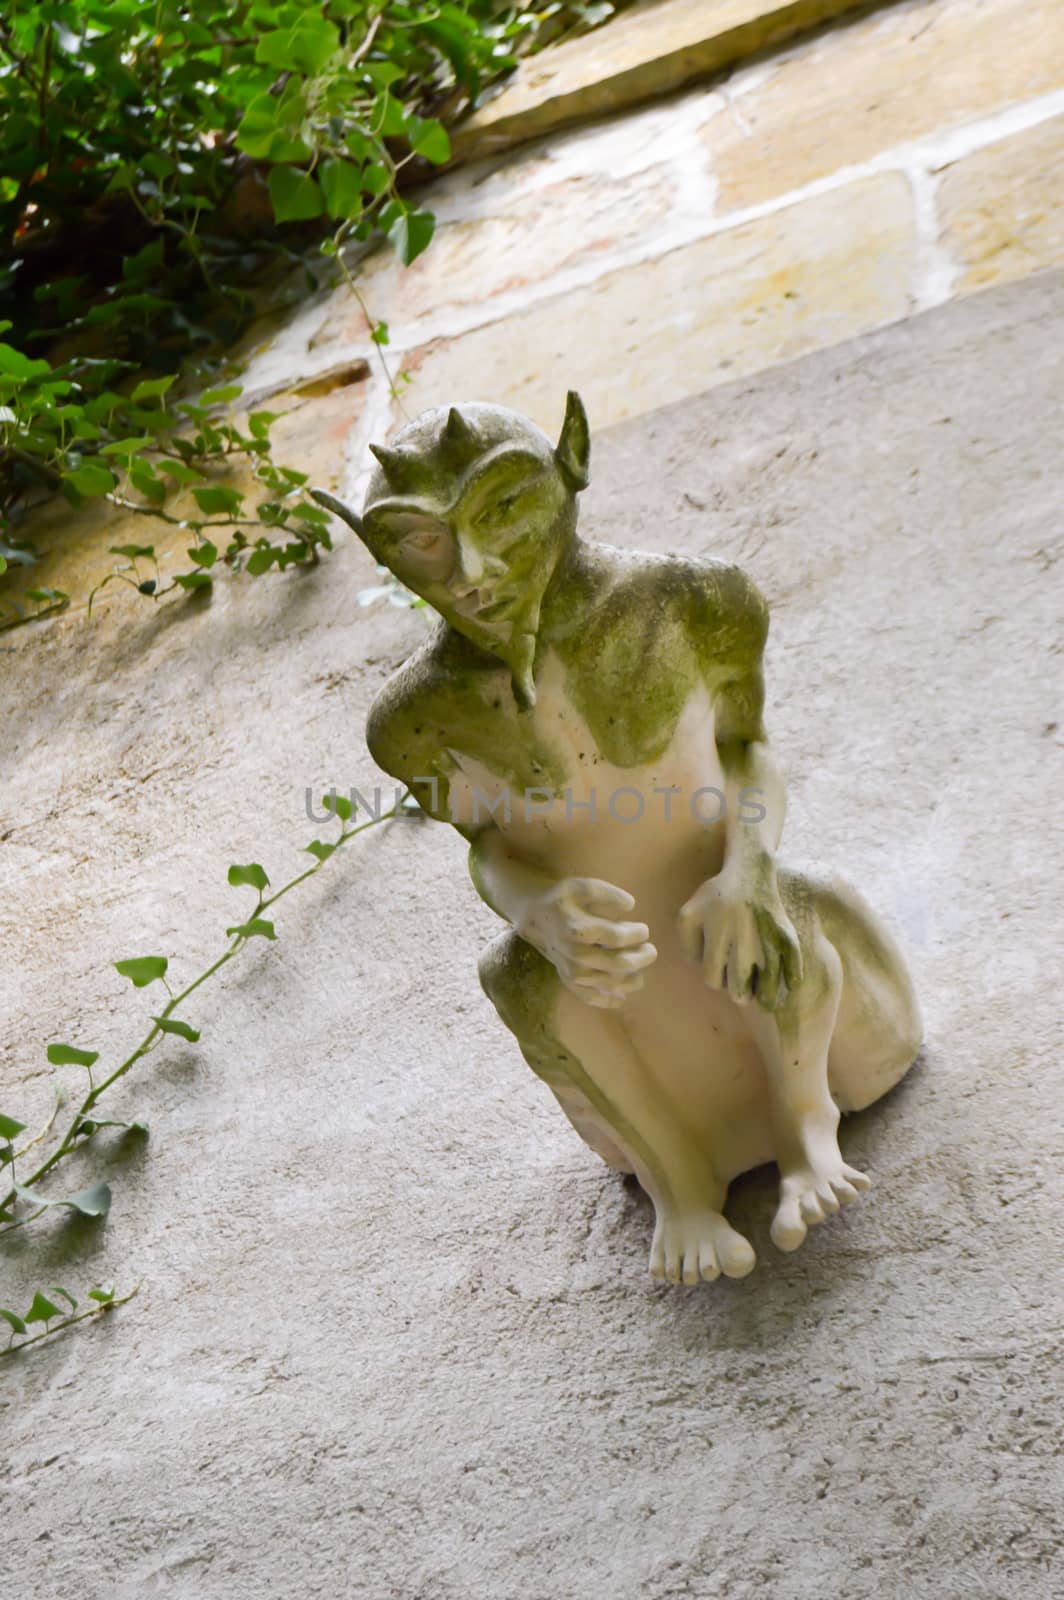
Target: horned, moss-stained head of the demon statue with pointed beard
(473, 510)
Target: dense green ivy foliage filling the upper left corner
(154, 156)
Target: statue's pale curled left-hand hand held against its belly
(575, 926)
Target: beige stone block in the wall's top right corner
(881, 82)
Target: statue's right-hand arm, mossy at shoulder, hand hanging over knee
(737, 924)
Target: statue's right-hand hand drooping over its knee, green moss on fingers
(743, 938)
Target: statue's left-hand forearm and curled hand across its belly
(574, 922)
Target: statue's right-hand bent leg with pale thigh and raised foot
(855, 999)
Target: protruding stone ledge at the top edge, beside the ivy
(646, 52)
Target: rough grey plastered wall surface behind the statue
(372, 1354)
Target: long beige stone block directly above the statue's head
(775, 289)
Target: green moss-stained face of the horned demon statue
(479, 530)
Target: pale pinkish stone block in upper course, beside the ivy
(510, 239)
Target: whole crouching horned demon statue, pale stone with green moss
(695, 1009)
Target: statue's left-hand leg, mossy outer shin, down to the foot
(618, 1110)
